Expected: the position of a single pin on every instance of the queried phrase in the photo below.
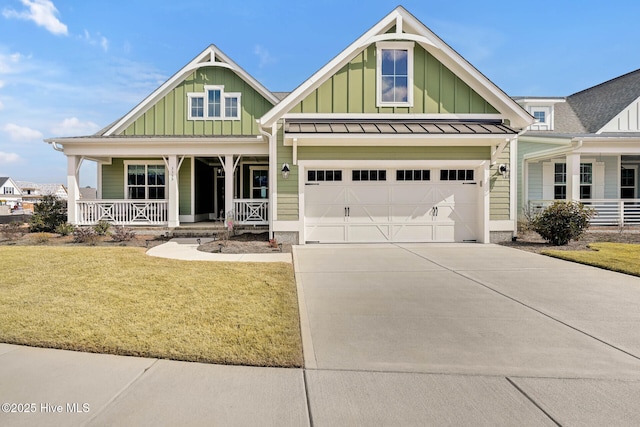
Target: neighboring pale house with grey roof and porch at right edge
(584, 147)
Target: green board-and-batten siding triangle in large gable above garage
(353, 90)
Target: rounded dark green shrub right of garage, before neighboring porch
(562, 222)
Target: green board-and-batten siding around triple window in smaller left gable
(169, 116)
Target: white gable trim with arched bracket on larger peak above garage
(407, 27)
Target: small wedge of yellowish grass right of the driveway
(621, 257)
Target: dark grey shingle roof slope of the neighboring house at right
(596, 106)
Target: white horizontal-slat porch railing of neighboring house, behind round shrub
(617, 212)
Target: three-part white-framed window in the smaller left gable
(214, 104)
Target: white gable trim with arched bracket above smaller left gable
(210, 57)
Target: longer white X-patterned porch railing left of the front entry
(122, 212)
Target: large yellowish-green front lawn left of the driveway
(121, 301)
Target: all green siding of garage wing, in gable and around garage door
(437, 90)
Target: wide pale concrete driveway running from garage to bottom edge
(466, 333)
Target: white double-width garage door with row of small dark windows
(376, 205)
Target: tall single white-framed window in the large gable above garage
(395, 74)
